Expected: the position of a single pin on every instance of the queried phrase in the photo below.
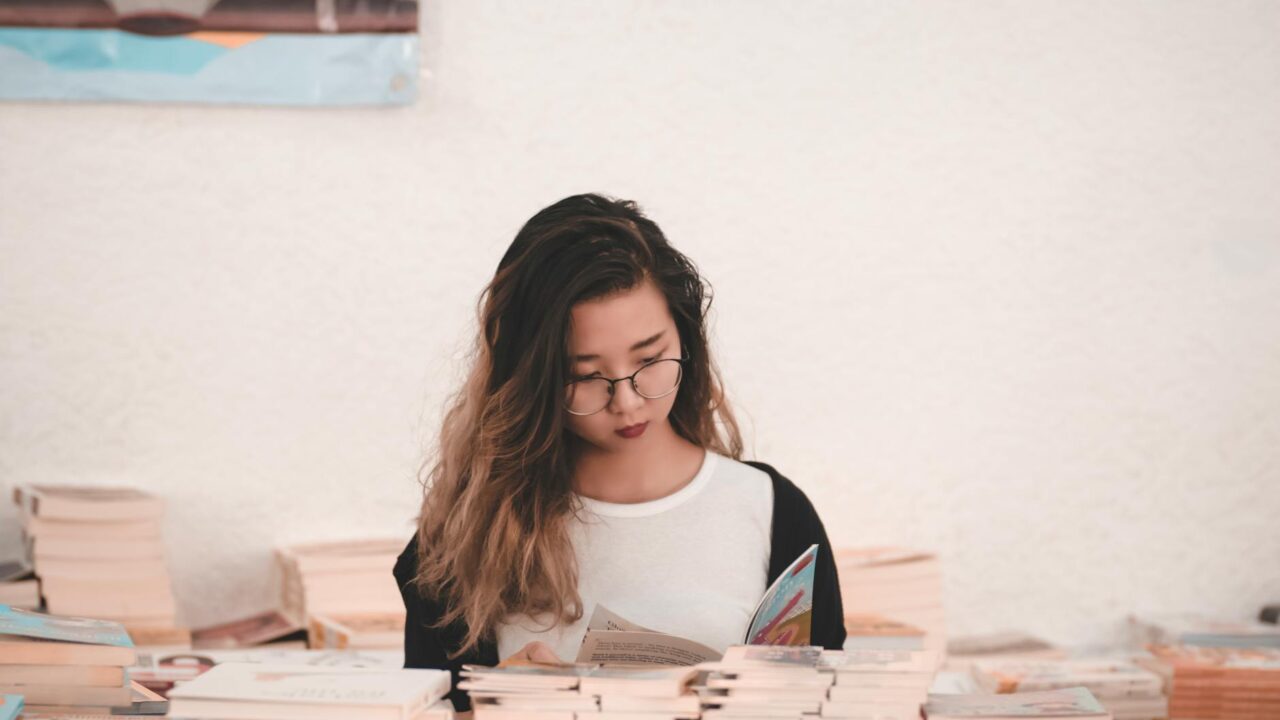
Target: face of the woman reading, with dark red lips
(614, 338)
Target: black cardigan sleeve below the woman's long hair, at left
(427, 646)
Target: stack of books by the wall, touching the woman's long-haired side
(341, 578)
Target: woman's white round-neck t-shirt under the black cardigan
(692, 564)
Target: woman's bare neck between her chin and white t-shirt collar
(643, 473)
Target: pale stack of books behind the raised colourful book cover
(898, 584)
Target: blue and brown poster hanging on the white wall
(231, 52)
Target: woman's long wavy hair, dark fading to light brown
(493, 531)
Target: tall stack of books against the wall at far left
(99, 553)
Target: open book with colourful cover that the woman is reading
(784, 617)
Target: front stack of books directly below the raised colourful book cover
(766, 682)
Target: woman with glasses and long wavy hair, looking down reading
(591, 459)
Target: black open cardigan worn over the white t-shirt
(796, 528)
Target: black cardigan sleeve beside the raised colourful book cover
(796, 527)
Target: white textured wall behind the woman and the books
(996, 279)
